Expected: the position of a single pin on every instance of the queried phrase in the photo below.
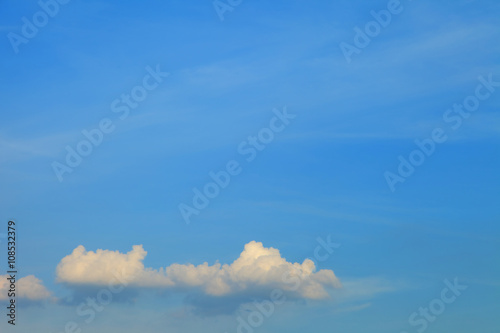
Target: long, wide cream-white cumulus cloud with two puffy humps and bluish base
(257, 270)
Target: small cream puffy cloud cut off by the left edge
(28, 287)
